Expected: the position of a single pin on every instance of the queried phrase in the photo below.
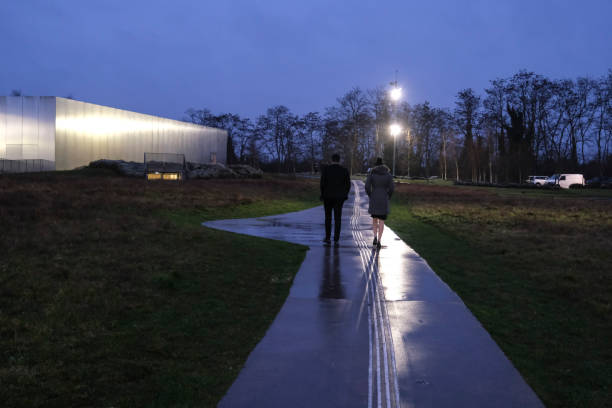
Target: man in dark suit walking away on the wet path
(335, 185)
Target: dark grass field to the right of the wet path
(535, 267)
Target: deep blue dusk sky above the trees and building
(163, 57)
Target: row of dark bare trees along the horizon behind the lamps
(522, 125)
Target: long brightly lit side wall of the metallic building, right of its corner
(87, 132)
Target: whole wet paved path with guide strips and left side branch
(367, 328)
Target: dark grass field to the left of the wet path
(112, 294)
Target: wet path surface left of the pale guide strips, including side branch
(315, 353)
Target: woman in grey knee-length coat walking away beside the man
(379, 187)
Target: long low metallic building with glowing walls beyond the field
(62, 134)
